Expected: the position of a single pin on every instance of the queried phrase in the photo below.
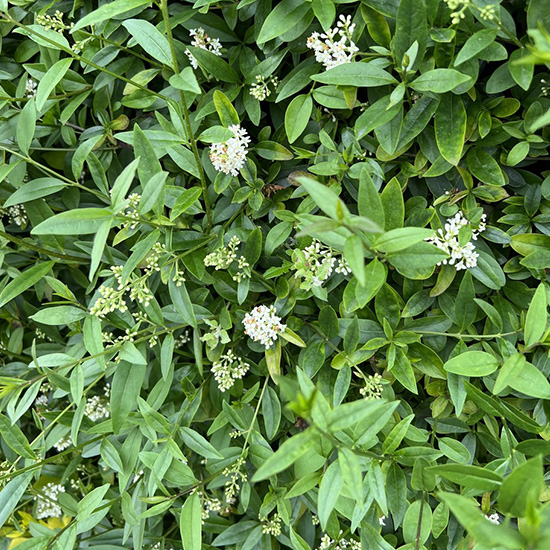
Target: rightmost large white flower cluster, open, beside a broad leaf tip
(462, 256)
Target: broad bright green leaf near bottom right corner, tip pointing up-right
(521, 490)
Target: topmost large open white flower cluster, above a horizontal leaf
(331, 51)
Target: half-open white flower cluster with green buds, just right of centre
(316, 263)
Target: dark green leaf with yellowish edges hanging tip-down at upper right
(450, 127)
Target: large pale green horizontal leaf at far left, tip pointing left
(82, 221)
